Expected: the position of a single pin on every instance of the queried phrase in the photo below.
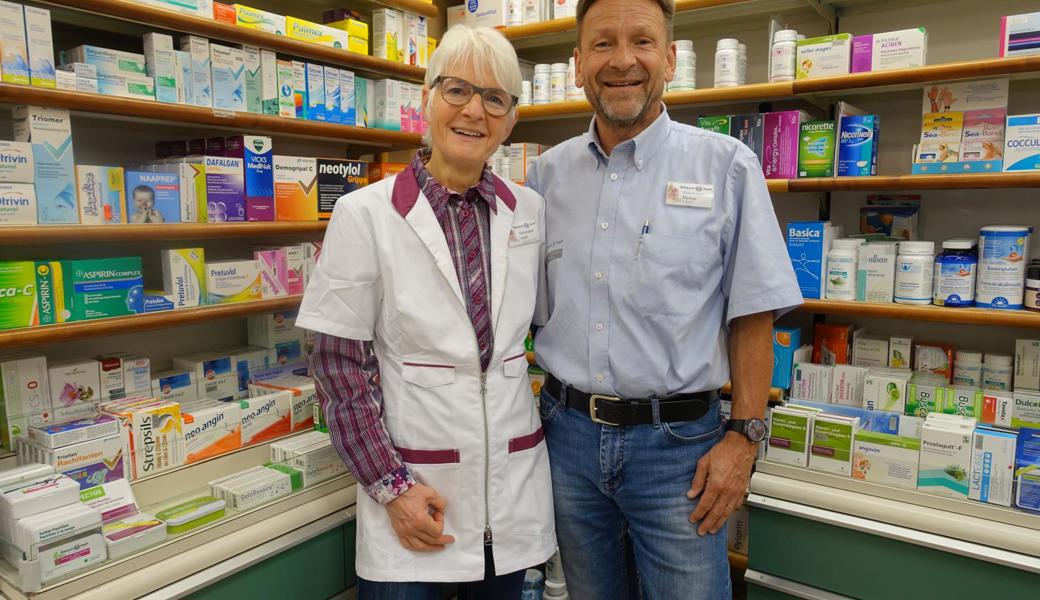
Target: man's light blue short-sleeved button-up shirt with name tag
(651, 253)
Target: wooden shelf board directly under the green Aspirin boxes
(24, 337)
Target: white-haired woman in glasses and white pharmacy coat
(422, 301)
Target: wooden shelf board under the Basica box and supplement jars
(973, 317)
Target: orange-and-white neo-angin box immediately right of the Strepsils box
(212, 429)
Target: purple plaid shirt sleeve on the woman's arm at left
(347, 374)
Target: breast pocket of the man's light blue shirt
(669, 273)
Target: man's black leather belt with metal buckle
(615, 411)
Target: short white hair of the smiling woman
(486, 50)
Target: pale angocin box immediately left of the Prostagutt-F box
(886, 459)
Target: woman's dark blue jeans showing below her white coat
(491, 588)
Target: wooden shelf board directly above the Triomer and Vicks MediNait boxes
(244, 122)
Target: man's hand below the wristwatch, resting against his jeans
(721, 482)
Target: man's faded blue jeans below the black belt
(619, 486)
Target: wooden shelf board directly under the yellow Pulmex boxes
(138, 13)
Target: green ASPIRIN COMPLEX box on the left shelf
(101, 289)
